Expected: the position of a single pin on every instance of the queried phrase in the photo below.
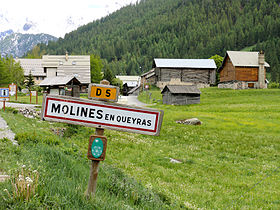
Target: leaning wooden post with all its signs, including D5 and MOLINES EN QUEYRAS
(101, 114)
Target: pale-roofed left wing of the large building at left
(33, 66)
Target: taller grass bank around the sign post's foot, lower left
(64, 172)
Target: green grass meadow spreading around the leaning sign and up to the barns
(231, 161)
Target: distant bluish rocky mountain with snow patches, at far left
(17, 44)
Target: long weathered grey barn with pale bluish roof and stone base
(199, 72)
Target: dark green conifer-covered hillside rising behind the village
(131, 37)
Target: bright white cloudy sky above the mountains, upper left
(55, 17)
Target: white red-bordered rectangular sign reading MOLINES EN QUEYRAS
(101, 114)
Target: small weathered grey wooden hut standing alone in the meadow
(180, 94)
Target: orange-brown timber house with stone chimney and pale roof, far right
(243, 70)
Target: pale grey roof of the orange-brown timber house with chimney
(245, 59)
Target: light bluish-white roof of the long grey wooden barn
(184, 63)
